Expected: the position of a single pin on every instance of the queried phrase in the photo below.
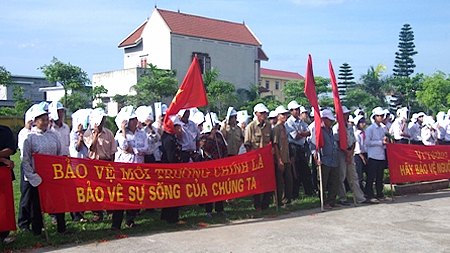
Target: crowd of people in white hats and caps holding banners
(142, 138)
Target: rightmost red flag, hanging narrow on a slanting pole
(338, 110)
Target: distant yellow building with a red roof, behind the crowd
(273, 81)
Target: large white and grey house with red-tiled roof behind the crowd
(170, 40)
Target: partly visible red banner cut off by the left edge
(7, 214)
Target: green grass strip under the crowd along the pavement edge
(148, 221)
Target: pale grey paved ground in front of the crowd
(415, 223)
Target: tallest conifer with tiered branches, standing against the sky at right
(404, 63)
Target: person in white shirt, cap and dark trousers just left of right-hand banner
(376, 141)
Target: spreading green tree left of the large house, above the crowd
(70, 77)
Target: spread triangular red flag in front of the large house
(190, 94)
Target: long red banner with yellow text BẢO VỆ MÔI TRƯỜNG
(75, 185)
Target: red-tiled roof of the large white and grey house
(201, 27)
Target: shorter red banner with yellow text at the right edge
(414, 163)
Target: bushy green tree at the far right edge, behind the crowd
(435, 95)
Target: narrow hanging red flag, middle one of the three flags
(310, 92)
